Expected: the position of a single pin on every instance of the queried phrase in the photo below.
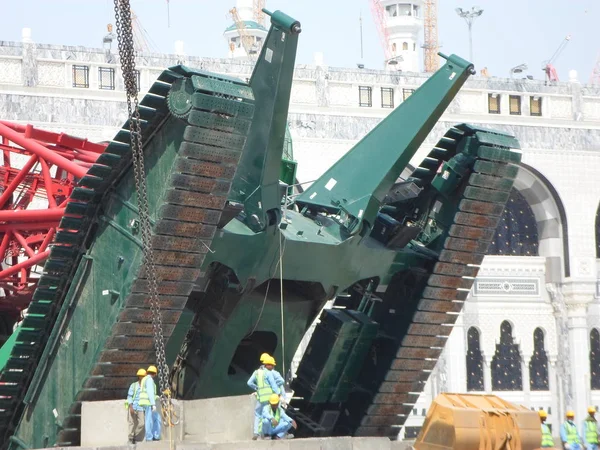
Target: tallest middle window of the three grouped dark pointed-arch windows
(506, 364)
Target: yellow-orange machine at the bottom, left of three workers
(478, 422)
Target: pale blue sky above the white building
(509, 32)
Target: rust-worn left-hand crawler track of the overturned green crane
(196, 194)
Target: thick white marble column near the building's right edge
(579, 357)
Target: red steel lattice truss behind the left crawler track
(38, 173)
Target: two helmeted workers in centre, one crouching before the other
(270, 418)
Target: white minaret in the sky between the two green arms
(404, 22)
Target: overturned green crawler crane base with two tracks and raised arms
(399, 256)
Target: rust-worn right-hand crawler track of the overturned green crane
(453, 275)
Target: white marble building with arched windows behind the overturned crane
(550, 284)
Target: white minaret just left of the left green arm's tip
(255, 32)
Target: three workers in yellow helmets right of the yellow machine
(570, 437)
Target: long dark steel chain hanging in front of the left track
(127, 59)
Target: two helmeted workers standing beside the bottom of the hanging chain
(142, 407)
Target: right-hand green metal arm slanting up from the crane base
(384, 153)
